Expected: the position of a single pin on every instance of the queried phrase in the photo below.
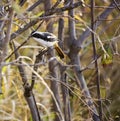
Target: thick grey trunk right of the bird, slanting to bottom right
(74, 56)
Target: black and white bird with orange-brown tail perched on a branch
(47, 39)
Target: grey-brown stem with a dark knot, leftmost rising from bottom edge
(27, 90)
